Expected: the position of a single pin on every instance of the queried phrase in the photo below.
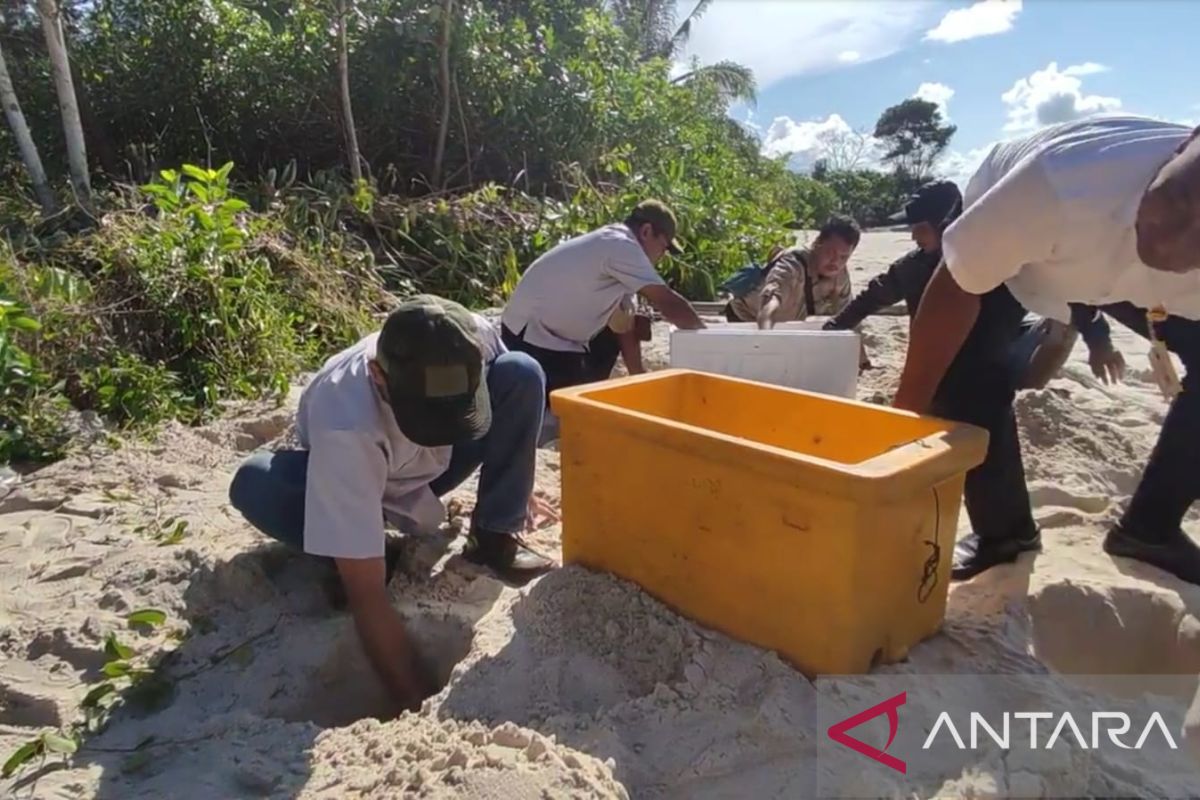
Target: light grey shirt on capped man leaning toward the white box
(569, 294)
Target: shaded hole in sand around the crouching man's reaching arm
(345, 688)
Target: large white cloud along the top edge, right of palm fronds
(779, 39)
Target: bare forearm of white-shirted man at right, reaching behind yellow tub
(943, 323)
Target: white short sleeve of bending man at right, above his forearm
(1015, 224)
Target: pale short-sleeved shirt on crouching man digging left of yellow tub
(362, 468)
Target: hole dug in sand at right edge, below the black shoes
(1130, 634)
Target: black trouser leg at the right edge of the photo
(1171, 484)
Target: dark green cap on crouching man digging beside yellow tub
(433, 358)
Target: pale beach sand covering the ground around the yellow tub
(577, 685)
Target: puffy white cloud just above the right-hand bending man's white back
(1051, 97)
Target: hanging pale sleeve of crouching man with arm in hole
(344, 496)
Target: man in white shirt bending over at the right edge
(1107, 213)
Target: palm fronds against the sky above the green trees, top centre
(652, 25)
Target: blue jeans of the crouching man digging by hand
(268, 488)
